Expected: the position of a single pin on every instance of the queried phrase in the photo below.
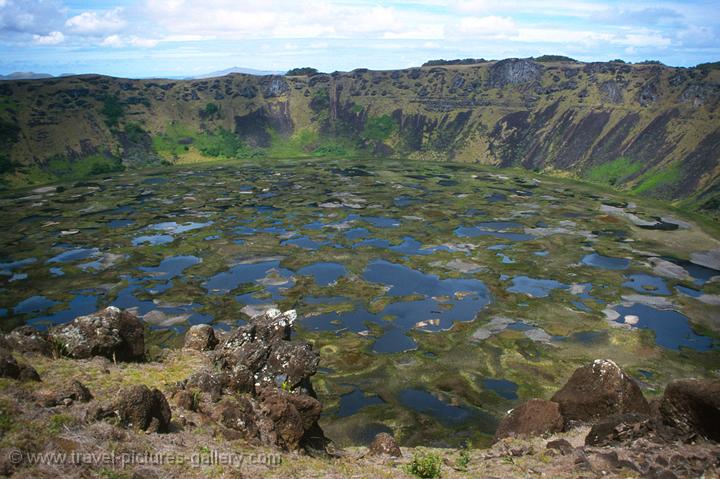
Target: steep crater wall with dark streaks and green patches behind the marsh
(645, 127)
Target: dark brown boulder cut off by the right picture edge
(692, 406)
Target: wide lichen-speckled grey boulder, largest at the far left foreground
(111, 333)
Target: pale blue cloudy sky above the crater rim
(176, 38)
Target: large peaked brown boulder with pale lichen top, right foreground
(599, 390)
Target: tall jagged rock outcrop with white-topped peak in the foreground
(260, 387)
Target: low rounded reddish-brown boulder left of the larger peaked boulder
(532, 418)
